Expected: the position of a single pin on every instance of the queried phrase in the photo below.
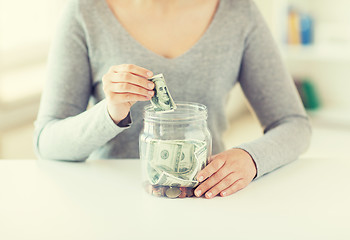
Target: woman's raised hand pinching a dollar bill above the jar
(123, 86)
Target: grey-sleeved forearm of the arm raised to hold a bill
(75, 138)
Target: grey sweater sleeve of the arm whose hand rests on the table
(274, 99)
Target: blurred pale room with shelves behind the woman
(313, 36)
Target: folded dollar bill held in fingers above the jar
(162, 100)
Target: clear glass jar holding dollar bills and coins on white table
(174, 147)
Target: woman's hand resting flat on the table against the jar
(227, 173)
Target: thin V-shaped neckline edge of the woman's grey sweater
(204, 37)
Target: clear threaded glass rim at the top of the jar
(185, 111)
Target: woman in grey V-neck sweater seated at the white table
(106, 50)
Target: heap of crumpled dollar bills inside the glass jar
(175, 163)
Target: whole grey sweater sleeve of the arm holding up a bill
(65, 129)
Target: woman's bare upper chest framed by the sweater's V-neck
(167, 34)
